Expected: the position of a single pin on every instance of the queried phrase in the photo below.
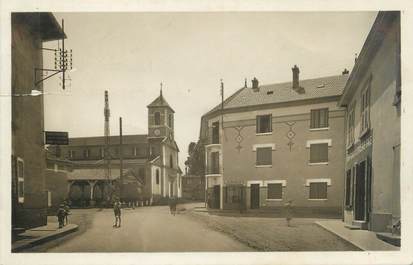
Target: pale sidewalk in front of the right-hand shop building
(363, 239)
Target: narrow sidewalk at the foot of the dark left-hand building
(40, 235)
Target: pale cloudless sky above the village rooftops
(130, 54)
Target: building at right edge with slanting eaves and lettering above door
(372, 97)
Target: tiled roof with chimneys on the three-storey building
(283, 92)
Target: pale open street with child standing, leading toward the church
(149, 229)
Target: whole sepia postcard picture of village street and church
(204, 132)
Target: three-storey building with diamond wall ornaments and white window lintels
(268, 144)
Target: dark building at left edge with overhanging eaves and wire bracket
(29, 195)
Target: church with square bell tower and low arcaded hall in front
(150, 164)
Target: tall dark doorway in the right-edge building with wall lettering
(360, 196)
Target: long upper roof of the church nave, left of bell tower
(100, 140)
